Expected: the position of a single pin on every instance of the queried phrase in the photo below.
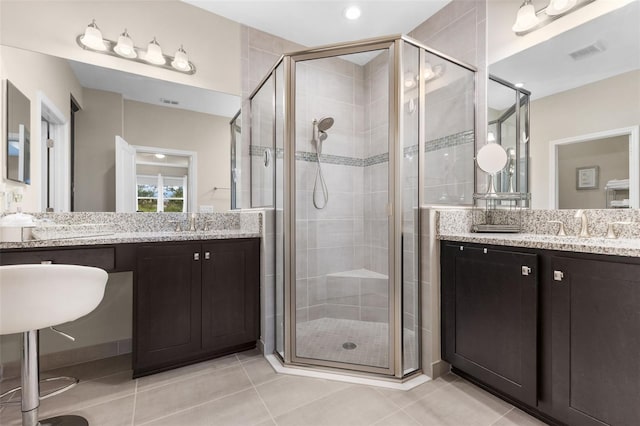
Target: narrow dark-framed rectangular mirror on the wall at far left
(18, 150)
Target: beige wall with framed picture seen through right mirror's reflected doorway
(611, 155)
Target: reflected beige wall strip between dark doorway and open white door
(97, 125)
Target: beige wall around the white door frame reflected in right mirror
(605, 105)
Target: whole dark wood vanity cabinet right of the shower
(585, 367)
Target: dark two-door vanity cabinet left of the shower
(194, 301)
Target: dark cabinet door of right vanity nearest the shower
(489, 317)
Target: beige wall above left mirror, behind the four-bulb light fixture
(52, 27)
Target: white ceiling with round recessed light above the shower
(314, 23)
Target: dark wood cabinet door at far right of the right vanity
(596, 341)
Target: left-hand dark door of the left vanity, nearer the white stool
(166, 305)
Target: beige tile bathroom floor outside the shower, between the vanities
(242, 389)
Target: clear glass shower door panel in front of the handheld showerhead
(343, 297)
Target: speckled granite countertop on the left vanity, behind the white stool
(133, 237)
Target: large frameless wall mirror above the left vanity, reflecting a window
(167, 128)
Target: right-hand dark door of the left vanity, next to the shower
(230, 293)
